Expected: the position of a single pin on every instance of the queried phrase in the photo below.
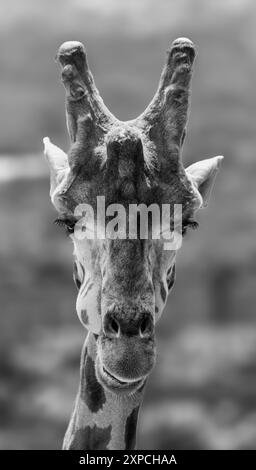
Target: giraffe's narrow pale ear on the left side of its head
(58, 163)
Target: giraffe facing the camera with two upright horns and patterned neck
(122, 283)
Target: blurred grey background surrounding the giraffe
(202, 394)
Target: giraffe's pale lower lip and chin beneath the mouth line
(116, 384)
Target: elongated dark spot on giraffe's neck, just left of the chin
(92, 392)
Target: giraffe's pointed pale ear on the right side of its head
(203, 175)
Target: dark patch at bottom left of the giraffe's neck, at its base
(94, 438)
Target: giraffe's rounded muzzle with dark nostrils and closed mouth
(126, 351)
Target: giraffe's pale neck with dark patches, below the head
(101, 419)
